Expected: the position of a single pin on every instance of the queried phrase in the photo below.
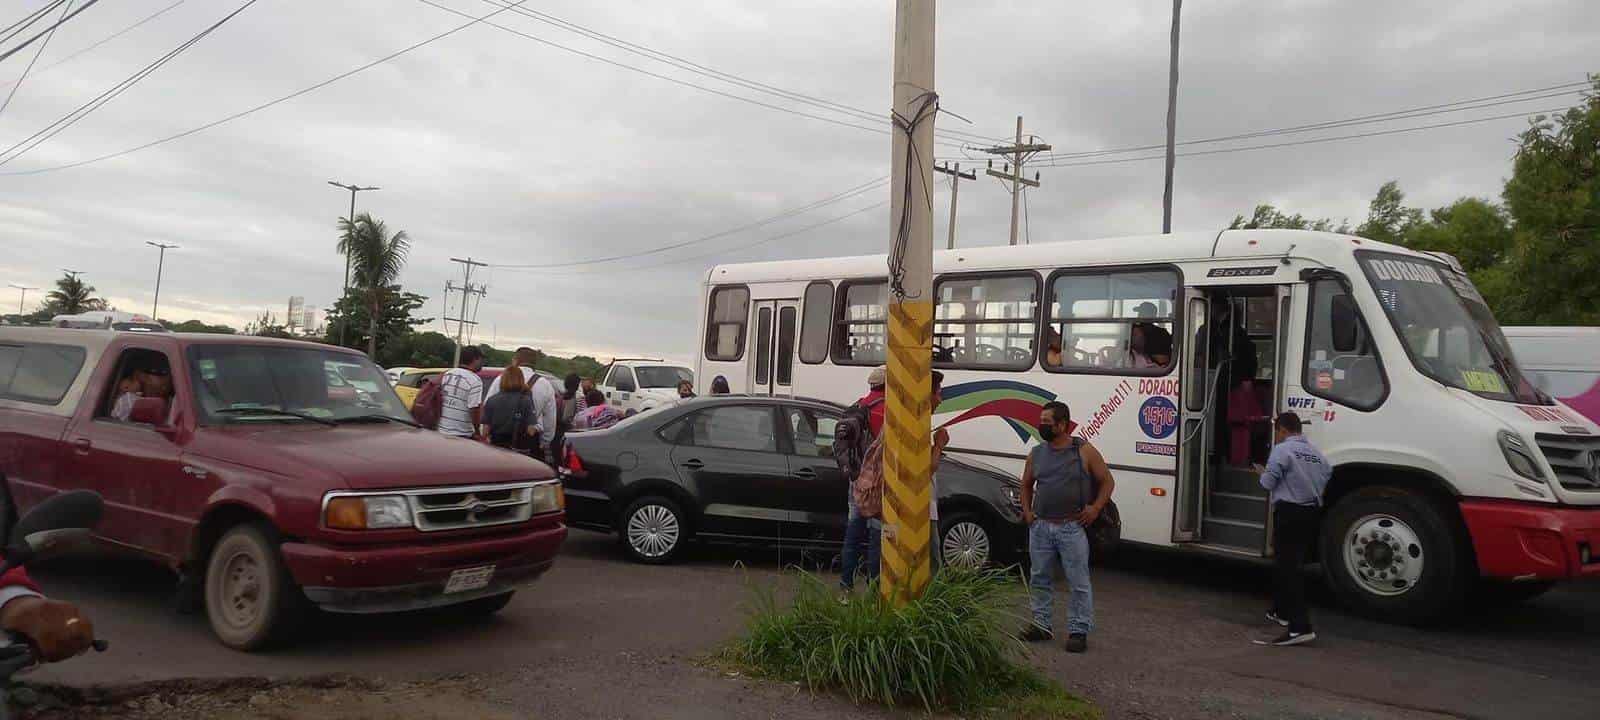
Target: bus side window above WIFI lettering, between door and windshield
(1342, 362)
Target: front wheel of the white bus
(1394, 554)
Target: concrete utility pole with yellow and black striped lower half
(908, 462)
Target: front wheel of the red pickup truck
(250, 598)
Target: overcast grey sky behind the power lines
(516, 151)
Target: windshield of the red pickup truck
(247, 383)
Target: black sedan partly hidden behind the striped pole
(758, 470)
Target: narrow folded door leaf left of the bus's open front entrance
(1193, 441)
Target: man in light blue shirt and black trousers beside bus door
(1297, 478)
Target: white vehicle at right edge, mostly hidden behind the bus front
(1564, 362)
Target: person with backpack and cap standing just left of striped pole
(854, 439)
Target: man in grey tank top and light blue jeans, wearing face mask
(1065, 489)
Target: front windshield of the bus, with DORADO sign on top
(1447, 329)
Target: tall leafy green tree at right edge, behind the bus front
(1554, 201)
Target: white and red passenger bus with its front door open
(1452, 471)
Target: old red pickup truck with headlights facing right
(273, 476)
